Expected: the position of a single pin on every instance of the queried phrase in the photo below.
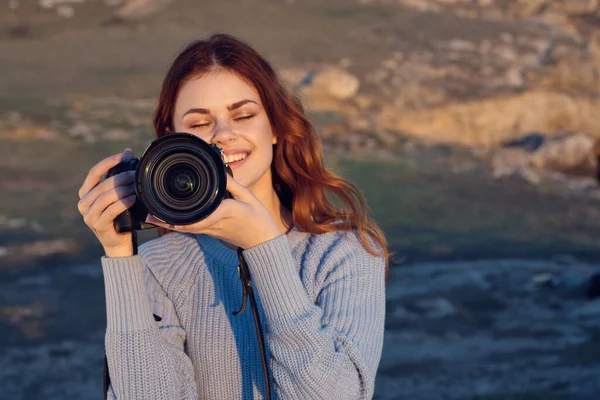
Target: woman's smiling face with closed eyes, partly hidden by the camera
(221, 108)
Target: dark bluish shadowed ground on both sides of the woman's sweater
(498, 329)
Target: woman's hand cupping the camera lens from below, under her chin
(242, 221)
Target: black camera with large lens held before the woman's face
(180, 179)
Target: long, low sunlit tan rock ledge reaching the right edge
(492, 121)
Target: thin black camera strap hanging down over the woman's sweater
(247, 292)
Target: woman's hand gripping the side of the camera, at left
(101, 201)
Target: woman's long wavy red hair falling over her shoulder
(299, 175)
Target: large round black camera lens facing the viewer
(182, 178)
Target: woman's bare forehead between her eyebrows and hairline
(213, 90)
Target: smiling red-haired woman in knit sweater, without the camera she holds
(317, 270)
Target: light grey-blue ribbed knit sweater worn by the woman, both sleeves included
(322, 306)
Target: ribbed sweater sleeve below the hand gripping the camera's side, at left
(146, 358)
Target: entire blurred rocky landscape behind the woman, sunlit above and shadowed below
(470, 126)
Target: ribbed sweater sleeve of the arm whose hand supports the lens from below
(328, 348)
